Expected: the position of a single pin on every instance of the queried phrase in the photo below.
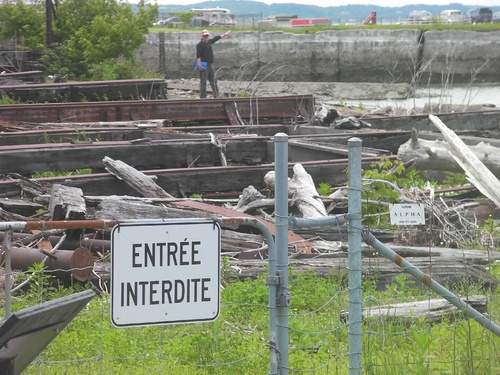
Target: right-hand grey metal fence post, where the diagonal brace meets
(355, 277)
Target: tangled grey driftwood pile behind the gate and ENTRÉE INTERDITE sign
(321, 249)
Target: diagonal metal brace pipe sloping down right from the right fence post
(429, 282)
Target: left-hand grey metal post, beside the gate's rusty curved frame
(281, 225)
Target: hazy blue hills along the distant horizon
(256, 8)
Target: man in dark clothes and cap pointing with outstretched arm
(205, 62)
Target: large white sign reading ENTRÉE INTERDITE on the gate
(165, 272)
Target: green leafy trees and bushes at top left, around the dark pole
(96, 39)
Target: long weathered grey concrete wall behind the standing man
(367, 55)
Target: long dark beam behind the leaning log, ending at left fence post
(28, 159)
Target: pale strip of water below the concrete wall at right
(457, 96)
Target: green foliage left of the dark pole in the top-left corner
(23, 23)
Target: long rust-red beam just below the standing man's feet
(251, 110)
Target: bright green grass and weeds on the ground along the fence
(236, 343)
